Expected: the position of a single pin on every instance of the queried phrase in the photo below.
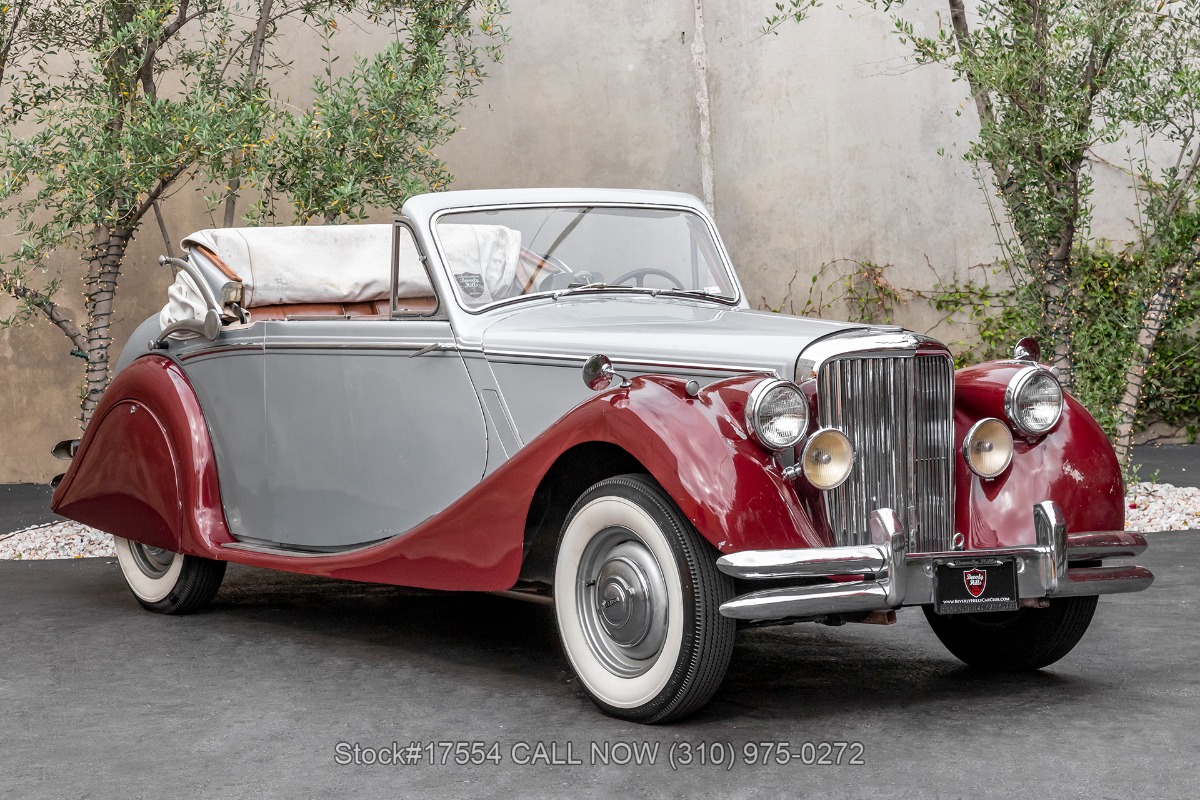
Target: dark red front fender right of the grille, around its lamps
(1075, 466)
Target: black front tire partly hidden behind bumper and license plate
(1022, 641)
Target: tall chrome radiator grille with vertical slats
(898, 413)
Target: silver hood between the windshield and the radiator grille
(652, 334)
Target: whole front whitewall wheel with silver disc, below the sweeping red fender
(638, 598)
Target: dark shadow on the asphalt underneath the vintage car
(808, 673)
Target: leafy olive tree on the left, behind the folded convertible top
(109, 107)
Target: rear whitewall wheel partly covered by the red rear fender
(166, 582)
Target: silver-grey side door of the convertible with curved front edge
(371, 429)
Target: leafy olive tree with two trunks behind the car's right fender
(1052, 81)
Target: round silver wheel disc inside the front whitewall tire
(622, 599)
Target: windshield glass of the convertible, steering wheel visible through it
(506, 254)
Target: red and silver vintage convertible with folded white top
(563, 394)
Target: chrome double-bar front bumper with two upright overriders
(891, 578)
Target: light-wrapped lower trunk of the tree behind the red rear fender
(104, 270)
